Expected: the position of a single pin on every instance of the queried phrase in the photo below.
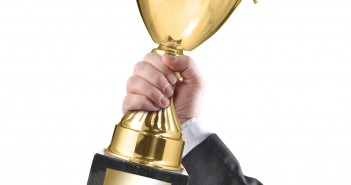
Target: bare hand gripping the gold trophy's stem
(150, 86)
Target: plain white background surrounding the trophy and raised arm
(278, 86)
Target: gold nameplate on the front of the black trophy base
(114, 177)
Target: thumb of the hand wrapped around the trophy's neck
(184, 65)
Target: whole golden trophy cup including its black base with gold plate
(149, 145)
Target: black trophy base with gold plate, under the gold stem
(107, 170)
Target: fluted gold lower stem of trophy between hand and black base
(149, 138)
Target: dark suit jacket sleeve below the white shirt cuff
(212, 163)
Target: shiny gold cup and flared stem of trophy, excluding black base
(155, 138)
